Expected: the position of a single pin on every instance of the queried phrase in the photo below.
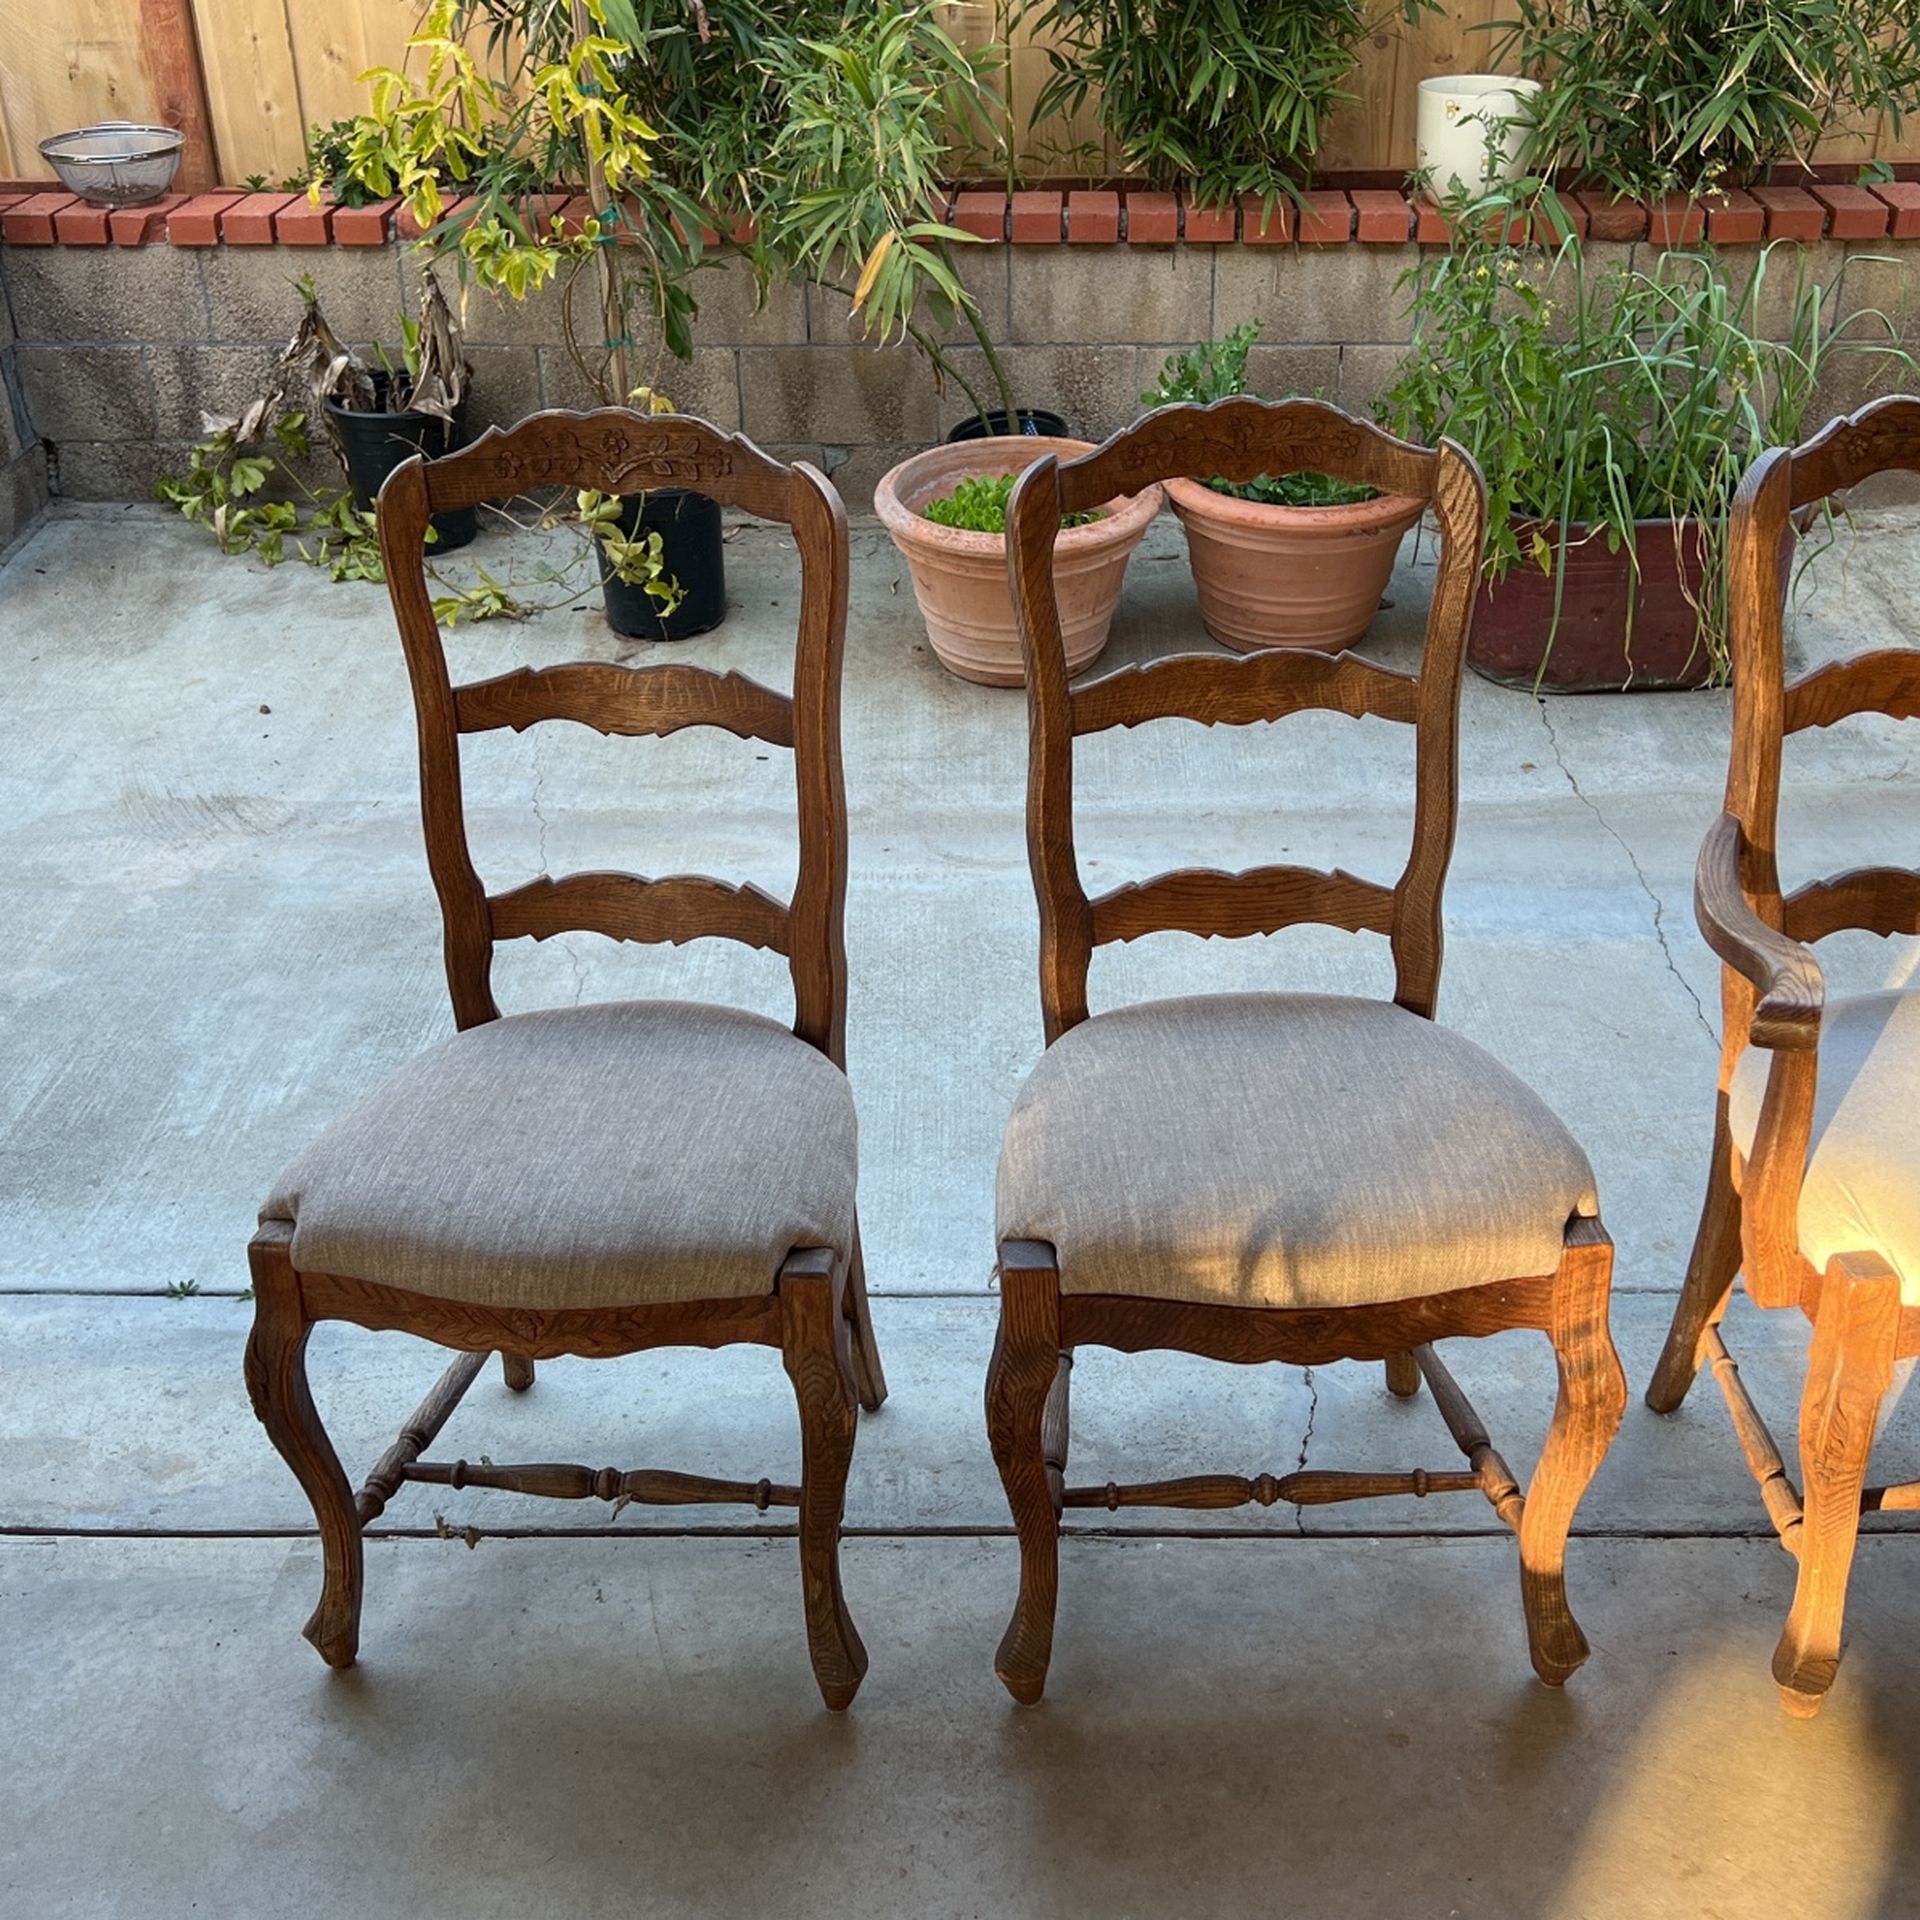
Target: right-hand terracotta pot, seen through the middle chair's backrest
(1289, 577)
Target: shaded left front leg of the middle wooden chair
(1020, 1383)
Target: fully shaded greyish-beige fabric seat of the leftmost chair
(583, 1159)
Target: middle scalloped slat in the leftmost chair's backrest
(633, 702)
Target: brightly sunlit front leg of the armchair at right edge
(1850, 1370)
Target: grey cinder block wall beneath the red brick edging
(124, 348)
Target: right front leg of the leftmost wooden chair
(815, 1345)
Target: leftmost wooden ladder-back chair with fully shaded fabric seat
(612, 1178)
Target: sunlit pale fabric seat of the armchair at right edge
(1863, 1164)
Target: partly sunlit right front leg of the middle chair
(1587, 1416)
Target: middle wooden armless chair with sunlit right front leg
(1253, 1178)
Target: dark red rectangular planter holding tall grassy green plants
(1593, 650)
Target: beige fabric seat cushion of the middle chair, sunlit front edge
(1285, 1151)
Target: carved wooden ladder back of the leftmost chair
(621, 452)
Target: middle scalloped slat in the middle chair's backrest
(1241, 690)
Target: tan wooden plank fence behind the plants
(247, 78)
